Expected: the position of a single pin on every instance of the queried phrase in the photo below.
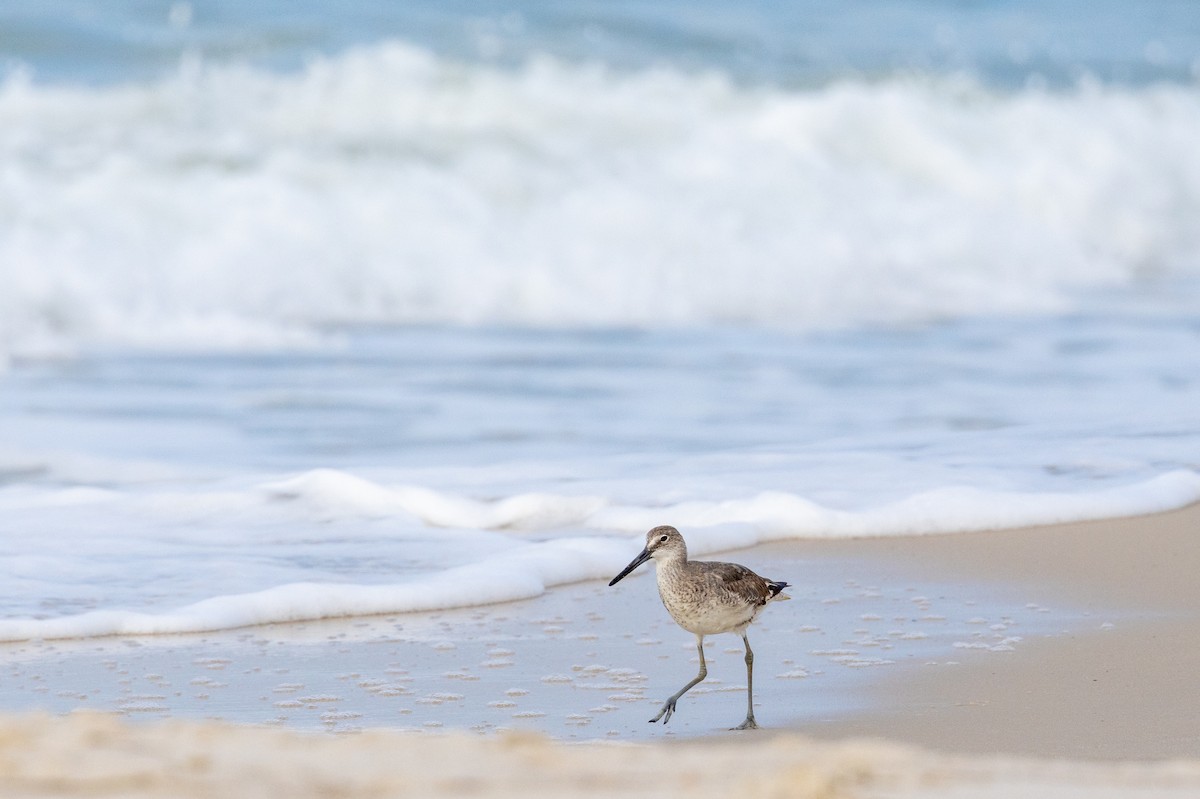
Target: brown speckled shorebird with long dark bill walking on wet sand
(706, 598)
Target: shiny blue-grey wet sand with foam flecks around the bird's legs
(580, 663)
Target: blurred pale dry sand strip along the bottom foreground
(100, 756)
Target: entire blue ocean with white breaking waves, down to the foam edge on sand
(314, 311)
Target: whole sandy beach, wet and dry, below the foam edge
(1055, 662)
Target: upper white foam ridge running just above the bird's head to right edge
(770, 515)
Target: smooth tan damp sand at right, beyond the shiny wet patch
(1126, 687)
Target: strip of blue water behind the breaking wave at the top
(788, 44)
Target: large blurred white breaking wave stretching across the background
(233, 208)
